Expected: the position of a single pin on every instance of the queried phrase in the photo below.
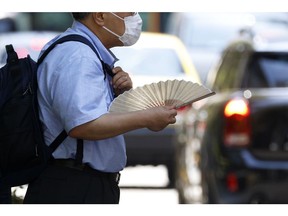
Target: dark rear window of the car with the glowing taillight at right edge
(267, 70)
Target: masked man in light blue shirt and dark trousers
(74, 94)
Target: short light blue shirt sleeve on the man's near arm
(79, 90)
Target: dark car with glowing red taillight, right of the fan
(236, 143)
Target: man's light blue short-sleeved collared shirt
(73, 91)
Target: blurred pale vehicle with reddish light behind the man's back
(24, 43)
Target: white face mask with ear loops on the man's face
(133, 28)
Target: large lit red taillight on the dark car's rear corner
(237, 130)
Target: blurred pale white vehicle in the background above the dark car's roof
(207, 34)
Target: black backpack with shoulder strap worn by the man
(23, 153)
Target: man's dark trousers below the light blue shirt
(64, 185)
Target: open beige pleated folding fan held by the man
(171, 92)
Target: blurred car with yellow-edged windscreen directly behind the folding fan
(155, 57)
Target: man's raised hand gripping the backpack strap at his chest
(121, 81)
